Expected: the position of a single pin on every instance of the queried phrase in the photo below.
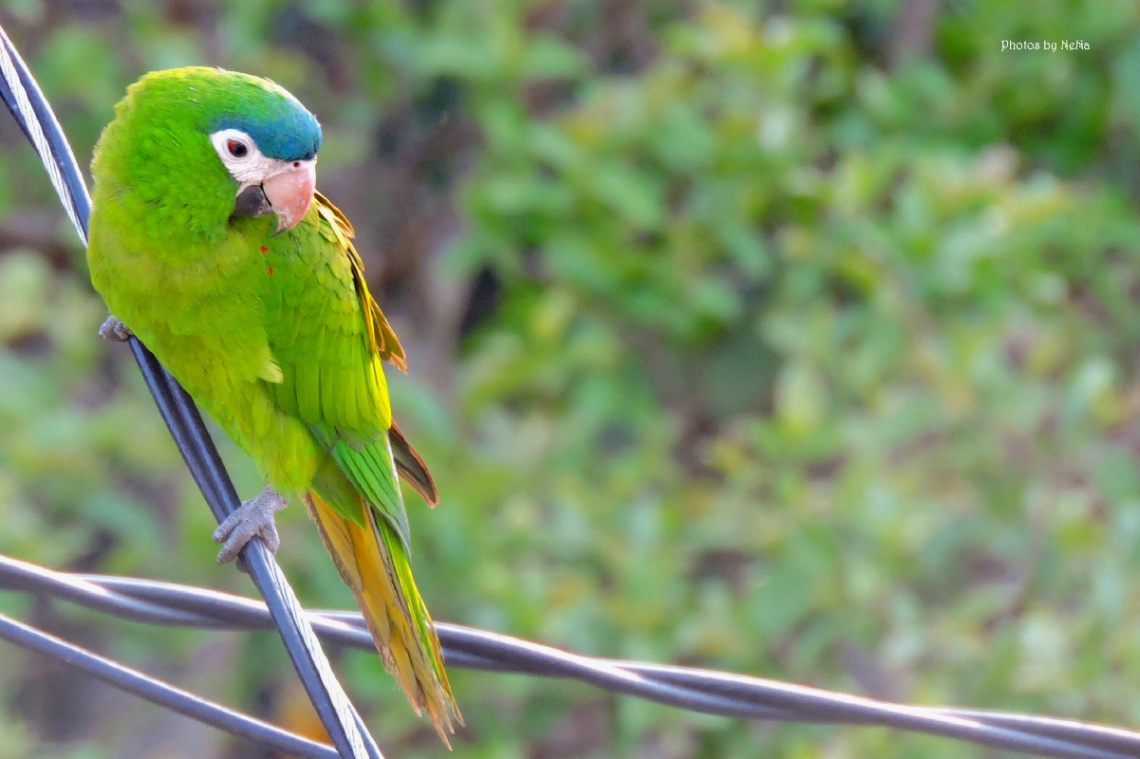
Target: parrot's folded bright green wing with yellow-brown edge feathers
(330, 341)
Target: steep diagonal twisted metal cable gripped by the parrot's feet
(28, 105)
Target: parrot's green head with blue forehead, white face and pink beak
(214, 145)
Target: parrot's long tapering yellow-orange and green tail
(374, 565)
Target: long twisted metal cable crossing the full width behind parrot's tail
(697, 690)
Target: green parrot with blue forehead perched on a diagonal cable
(210, 243)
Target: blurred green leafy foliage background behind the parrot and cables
(796, 339)
